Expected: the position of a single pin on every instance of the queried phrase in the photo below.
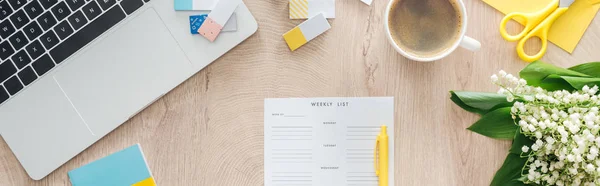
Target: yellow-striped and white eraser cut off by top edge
(303, 9)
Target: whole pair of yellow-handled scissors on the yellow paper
(537, 24)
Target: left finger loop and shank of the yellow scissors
(530, 20)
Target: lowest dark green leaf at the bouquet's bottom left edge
(510, 172)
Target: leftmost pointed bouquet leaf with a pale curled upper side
(478, 102)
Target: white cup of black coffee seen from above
(427, 30)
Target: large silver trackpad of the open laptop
(124, 72)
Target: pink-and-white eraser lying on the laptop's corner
(215, 21)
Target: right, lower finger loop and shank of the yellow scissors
(540, 31)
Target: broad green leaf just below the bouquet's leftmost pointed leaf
(496, 124)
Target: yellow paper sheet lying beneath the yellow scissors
(567, 30)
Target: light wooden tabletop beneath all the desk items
(209, 130)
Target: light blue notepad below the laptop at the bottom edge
(127, 167)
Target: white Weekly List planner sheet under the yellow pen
(325, 141)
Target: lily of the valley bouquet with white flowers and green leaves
(552, 116)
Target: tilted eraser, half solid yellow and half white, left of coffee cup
(306, 31)
